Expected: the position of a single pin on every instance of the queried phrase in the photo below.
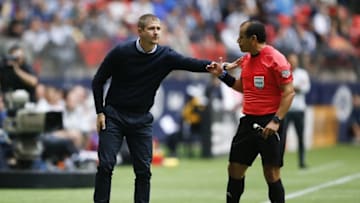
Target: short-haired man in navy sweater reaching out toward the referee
(136, 69)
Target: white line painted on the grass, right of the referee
(321, 186)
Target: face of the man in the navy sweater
(150, 34)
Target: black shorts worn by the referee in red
(248, 143)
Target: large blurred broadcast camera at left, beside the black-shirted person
(25, 126)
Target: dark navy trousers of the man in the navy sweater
(137, 129)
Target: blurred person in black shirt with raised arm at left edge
(15, 73)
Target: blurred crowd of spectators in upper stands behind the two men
(68, 38)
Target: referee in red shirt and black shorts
(266, 84)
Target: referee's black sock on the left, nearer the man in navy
(235, 188)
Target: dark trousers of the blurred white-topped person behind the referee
(297, 117)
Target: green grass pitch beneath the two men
(333, 176)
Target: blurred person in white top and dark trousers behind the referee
(296, 113)
